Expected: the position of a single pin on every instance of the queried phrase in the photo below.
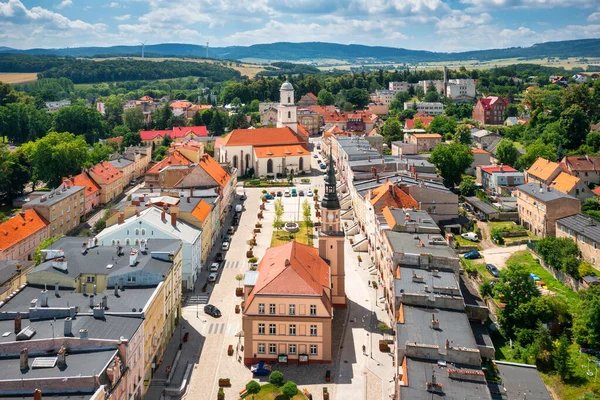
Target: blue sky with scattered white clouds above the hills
(436, 25)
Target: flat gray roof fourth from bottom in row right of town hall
(408, 243)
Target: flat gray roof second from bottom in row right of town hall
(454, 327)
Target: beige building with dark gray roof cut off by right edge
(585, 232)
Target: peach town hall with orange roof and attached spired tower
(289, 300)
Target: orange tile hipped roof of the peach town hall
(306, 275)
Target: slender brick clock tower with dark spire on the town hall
(331, 237)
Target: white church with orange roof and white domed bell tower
(269, 152)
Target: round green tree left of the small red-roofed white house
(452, 160)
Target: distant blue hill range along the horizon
(321, 50)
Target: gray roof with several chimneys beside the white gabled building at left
(96, 259)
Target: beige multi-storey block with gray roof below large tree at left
(61, 208)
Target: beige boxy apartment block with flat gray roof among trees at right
(540, 206)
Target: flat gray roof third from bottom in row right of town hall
(406, 284)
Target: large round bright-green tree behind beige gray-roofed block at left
(56, 155)
